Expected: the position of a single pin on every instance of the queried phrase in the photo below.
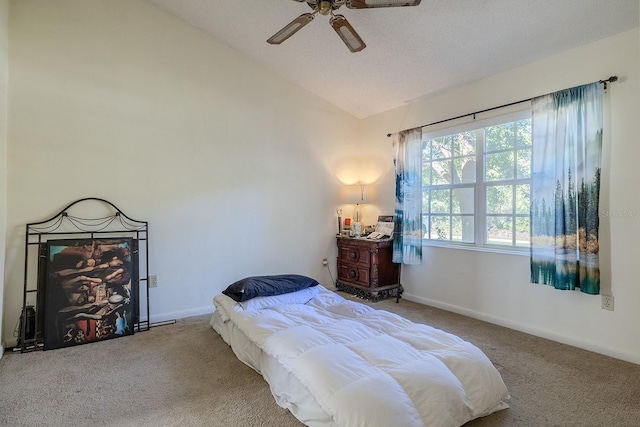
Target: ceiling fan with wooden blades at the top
(338, 22)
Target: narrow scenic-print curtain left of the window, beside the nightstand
(407, 236)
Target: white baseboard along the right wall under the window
(596, 348)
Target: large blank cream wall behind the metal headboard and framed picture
(234, 168)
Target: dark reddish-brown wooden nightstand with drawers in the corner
(365, 268)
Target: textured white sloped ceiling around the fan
(411, 52)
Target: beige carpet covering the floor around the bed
(185, 375)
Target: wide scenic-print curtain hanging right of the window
(565, 188)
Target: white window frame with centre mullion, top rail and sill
(480, 214)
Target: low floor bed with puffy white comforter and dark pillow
(337, 362)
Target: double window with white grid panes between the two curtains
(476, 183)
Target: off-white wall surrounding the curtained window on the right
(496, 287)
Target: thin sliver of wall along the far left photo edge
(4, 67)
